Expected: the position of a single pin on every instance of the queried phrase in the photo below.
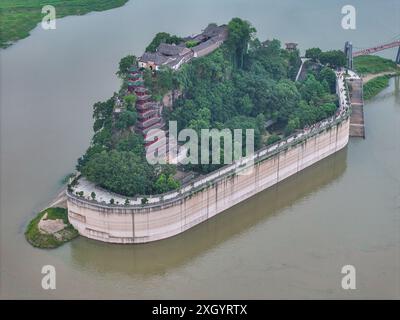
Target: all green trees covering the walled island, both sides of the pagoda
(244, 83)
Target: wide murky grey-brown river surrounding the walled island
(290, 241)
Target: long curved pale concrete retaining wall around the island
(154, 221)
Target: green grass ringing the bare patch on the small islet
(48, 241)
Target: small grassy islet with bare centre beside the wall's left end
(50, 229)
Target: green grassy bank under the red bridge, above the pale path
(374, 64)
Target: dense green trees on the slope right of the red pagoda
(245, 83)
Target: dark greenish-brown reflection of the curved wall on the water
(159, 257)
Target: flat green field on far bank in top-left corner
(19, 17)
